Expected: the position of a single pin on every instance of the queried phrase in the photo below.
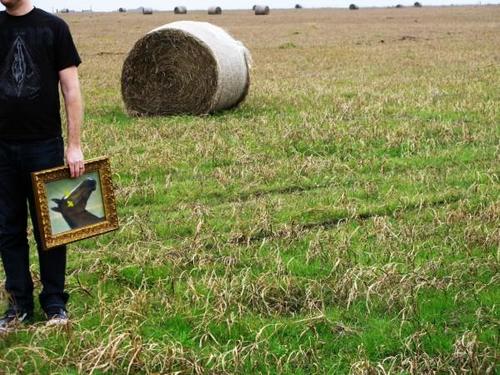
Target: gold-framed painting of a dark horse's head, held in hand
(72, 209)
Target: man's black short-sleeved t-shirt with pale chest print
(33, 49)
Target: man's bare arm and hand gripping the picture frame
(70, 87)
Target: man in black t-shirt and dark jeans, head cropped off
(37, 54)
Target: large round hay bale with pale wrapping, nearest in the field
(185, 67)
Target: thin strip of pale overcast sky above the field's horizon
(106, 5)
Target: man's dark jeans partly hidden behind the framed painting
(17, 161)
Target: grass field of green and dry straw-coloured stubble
(344, 219)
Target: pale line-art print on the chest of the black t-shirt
(19, 76)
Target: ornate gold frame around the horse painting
(110, 222)
